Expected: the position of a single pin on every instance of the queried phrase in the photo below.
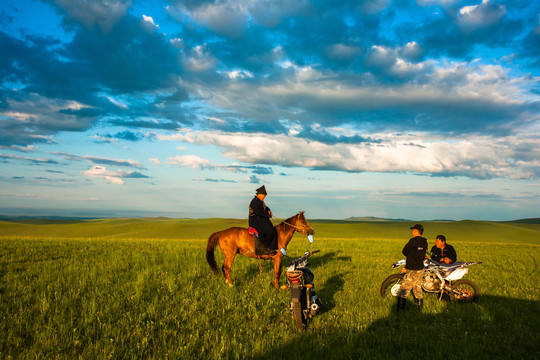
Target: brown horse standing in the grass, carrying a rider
(237, 240)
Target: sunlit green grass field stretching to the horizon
(141, 289)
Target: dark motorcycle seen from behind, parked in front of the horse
(304, 301)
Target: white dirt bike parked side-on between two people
(445, 279)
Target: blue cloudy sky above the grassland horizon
(424, 110)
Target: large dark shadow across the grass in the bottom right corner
(495, 327)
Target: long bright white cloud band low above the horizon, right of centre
(478, 157)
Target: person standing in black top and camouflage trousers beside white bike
(415, 251)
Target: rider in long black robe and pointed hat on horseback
(259, 218)
